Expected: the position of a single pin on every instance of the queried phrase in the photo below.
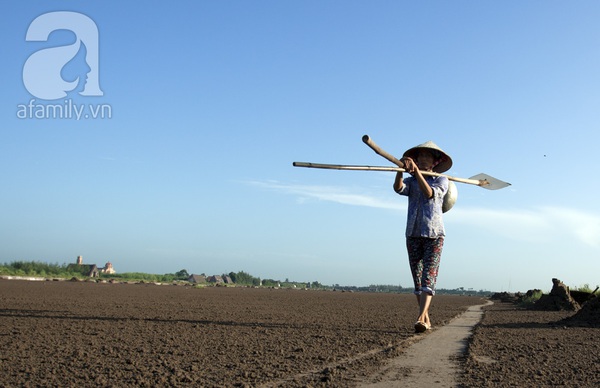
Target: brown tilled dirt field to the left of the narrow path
(94, 334)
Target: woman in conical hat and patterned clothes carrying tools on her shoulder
(424, 228)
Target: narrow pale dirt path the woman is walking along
(430, 361)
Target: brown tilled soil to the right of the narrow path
(515, 347)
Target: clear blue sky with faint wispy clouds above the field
(211, 102)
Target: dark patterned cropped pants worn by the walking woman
(424, 256)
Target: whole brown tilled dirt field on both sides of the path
(100, 334)
